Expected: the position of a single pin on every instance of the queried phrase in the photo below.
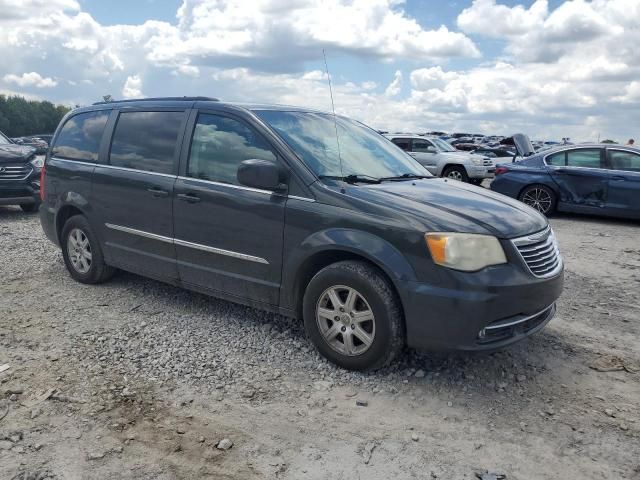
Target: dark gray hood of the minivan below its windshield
(449, 205)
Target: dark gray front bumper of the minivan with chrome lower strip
(485, 311)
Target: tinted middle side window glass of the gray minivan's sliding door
(146, 140)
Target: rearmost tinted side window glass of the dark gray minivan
(80, 136)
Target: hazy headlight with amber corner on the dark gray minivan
(465, 251)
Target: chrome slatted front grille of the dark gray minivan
(540, 253)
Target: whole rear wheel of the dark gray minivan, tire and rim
(84, 268)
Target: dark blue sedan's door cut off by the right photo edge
(624, 182)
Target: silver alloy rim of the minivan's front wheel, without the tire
(345, 320)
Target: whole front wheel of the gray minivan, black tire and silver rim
(379, 334)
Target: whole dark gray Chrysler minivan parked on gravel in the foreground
(266, 206)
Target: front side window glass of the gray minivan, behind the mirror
(220, 144)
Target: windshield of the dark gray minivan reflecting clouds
(364, 152)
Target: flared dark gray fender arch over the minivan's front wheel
(302, 262)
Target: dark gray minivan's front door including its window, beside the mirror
(228, 237)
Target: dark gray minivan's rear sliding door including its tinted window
(133, 193)
